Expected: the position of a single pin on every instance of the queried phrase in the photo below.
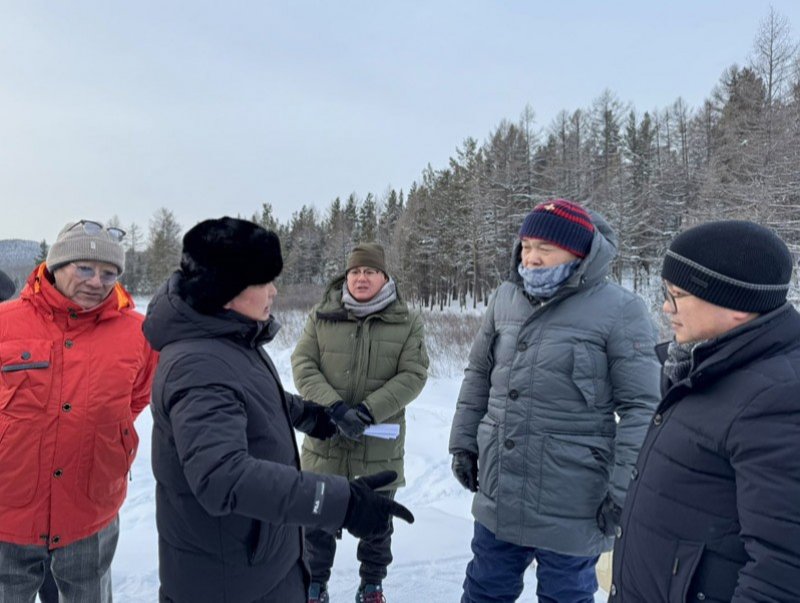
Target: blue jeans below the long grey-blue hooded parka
(495, 573)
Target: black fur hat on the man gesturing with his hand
(224, 256)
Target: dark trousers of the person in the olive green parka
(375, 553)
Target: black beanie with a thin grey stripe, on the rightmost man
(733, 263)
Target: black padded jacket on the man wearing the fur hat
(230, 498)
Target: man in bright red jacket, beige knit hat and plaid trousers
(75, 371)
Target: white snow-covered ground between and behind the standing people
(429, 556)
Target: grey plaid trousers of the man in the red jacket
(81, 570)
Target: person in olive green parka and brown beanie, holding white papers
(362, 353)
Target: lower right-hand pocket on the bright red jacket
(114, 449)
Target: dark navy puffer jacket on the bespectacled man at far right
(713, 510)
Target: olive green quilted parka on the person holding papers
(379, 360)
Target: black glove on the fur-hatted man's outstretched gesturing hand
(368, 513)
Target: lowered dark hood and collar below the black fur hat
(170, 319)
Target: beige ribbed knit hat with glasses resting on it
(87, 240)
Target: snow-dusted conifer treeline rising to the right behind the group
(649, 173)
